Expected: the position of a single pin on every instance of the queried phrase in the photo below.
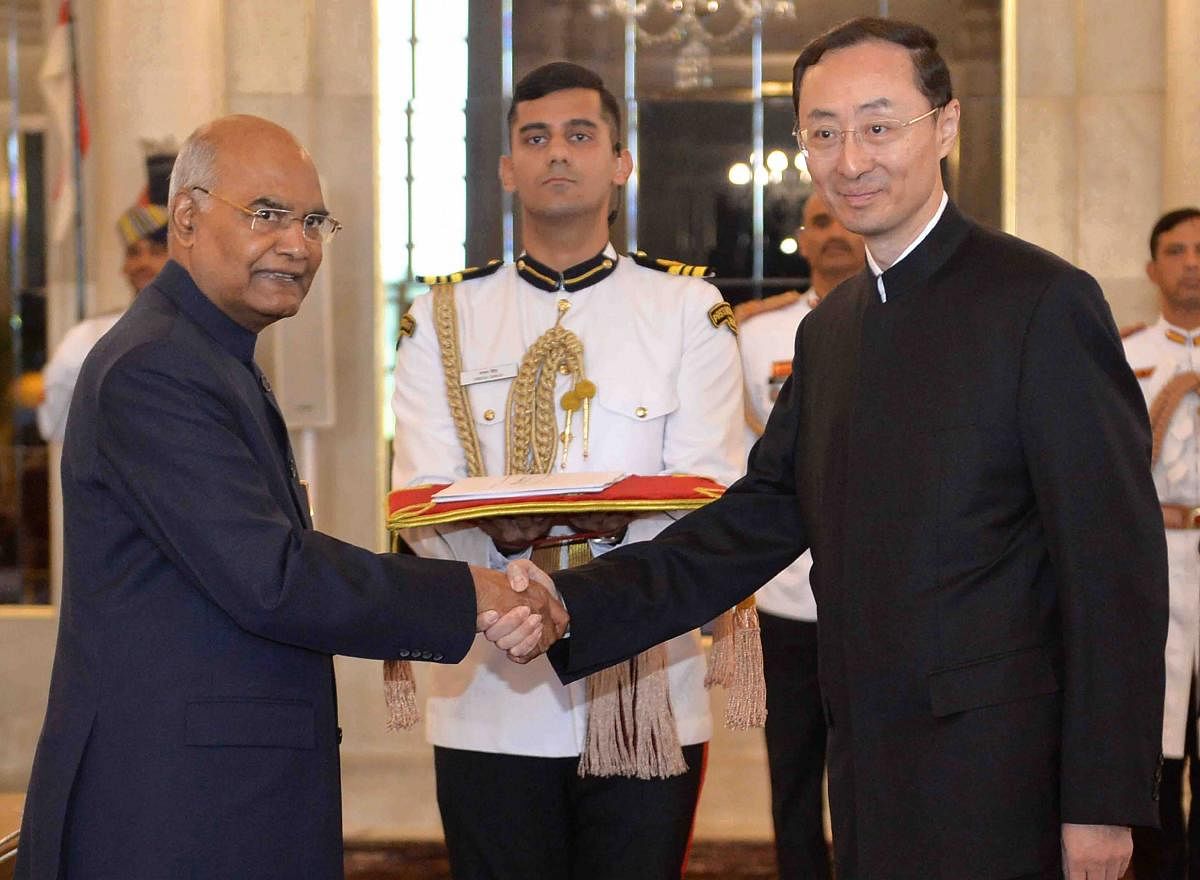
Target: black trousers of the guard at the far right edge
(1173, 852)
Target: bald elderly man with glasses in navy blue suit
(193, 729)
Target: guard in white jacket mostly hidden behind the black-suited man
(788, 612)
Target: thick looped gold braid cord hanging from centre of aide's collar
(533, 433)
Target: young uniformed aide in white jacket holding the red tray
(661, 350)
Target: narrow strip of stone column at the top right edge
(1181, 110)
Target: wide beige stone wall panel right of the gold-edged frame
(1090, 169)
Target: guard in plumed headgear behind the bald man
(143, 232)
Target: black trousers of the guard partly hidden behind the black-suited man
(796, 746)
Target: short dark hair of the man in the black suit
(932, 74)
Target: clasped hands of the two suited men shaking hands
(519, 610)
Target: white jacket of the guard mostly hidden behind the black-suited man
(769, 343)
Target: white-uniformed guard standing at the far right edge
(1166, 358)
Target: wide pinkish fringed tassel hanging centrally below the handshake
(632, 729)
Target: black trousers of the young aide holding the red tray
(518, 818)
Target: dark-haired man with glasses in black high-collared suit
(967, 453)
